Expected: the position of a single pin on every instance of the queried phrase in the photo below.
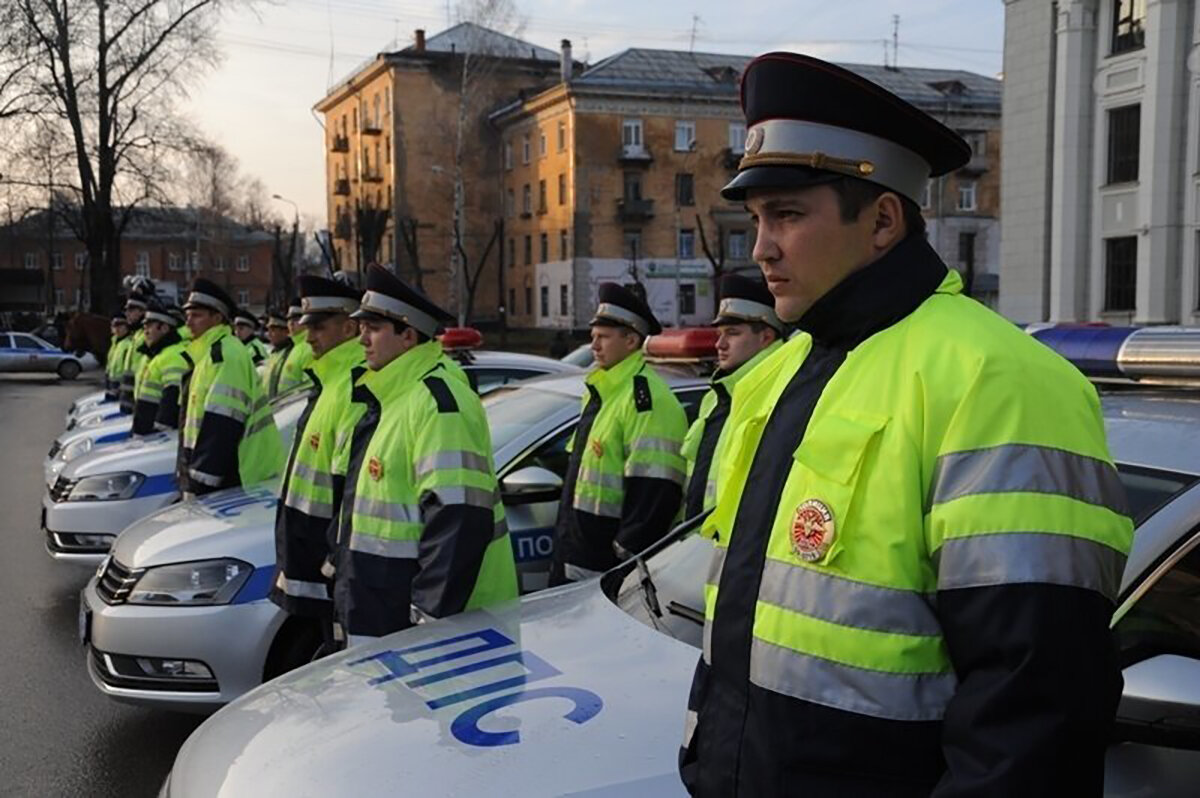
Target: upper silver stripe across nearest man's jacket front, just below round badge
(848, 603)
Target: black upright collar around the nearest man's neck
(879, 296)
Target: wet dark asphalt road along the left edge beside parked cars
(58, 735)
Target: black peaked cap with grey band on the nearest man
(809, 123)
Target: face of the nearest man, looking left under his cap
(805, 249)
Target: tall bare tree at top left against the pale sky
(109, 73)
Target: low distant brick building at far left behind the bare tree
(170, 245)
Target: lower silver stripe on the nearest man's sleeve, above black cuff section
(1023, 557)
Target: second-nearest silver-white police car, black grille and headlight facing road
(238, 639)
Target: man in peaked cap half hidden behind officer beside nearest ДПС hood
(313, 484)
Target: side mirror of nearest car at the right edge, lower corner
(1161, 703)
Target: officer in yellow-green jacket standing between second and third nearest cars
(230, 437)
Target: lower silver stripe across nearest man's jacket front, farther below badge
(895, 697)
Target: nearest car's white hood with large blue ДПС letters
(431, 711)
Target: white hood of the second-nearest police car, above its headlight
(236, 523)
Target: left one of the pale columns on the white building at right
(1072, 171)
